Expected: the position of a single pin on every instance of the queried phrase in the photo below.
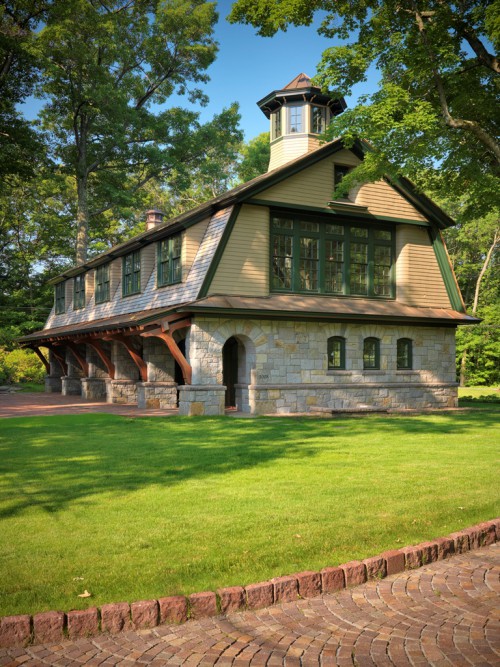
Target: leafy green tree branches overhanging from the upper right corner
(435, 114)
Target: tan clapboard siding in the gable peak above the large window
(314, 187)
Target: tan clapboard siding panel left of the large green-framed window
(244, 266)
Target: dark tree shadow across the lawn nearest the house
(51, 462)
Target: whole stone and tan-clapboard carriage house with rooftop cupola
(272, 298)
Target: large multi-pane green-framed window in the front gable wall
(312, 255)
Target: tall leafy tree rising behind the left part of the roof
(105, 64)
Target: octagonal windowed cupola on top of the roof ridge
(298, 114)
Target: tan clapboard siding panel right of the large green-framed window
(418, 277)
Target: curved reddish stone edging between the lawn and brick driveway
(55, 626)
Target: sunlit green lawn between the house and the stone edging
(131, 509)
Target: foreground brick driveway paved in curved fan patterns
(444, 614)
